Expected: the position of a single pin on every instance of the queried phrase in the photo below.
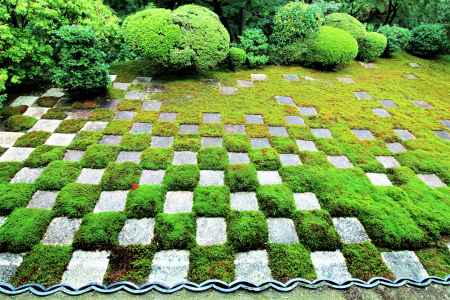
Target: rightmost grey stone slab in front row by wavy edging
(404, 264)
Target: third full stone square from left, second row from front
(211, 231)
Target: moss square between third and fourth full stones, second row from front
(247, 231)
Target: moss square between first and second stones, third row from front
(75, 200)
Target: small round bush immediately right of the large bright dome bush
(371, 46)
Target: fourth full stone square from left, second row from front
(282, 231)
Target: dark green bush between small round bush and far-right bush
(397, 39)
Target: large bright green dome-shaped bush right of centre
(330, 48)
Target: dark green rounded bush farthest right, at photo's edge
(428, 40)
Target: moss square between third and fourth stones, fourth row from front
(182, 178)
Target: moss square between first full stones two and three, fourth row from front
(120, 176)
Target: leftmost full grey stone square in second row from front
(61, 231)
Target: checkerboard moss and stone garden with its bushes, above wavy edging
(187, 163)
